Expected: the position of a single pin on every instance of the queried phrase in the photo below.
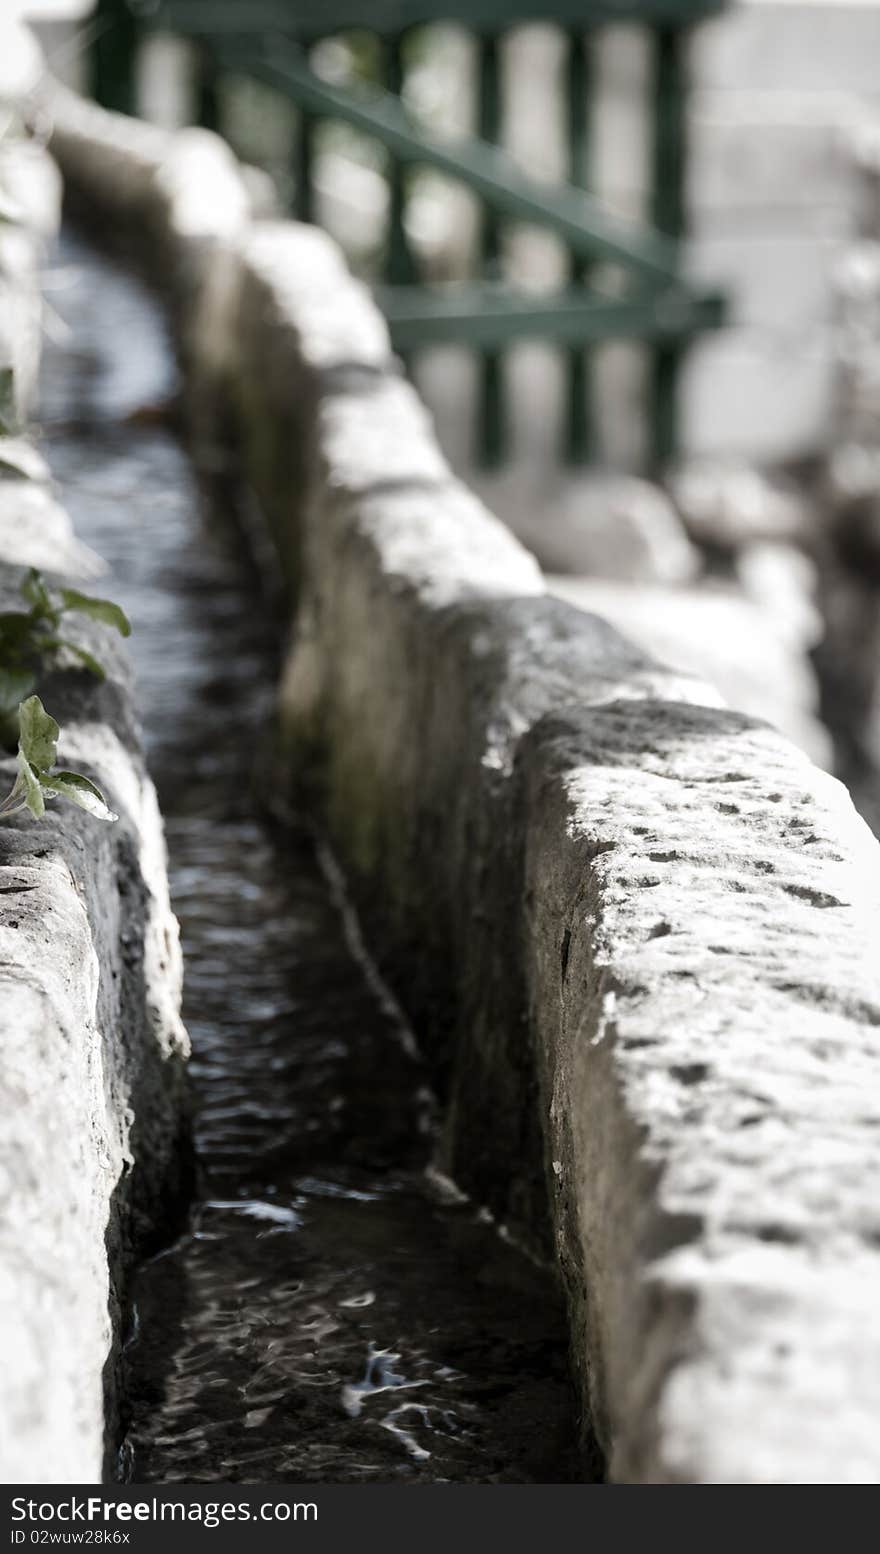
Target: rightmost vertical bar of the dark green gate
(669, 217)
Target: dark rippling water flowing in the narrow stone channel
(327, 1312)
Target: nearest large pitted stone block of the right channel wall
(702, 935)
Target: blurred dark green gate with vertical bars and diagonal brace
(270, 41)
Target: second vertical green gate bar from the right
(581, 431)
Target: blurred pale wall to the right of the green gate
(780, 89)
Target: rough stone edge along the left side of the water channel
(91, 1039)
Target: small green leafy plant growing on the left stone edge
(29, 643)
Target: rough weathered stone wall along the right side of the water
(722, 1309)
